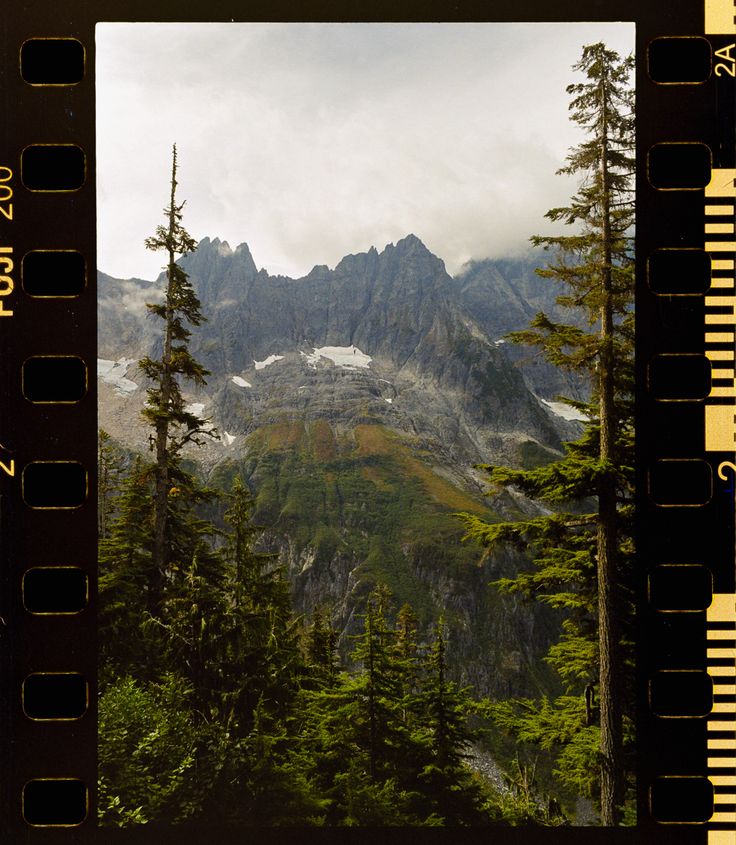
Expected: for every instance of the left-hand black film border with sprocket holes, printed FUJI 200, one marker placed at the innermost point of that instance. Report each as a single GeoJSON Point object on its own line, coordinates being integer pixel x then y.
{"type": "Point", "coordinates": [48, 430]}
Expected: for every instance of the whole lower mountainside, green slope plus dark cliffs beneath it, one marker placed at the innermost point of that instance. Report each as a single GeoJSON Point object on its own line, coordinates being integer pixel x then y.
{"type": "Point", "coordinates": [346, 509]}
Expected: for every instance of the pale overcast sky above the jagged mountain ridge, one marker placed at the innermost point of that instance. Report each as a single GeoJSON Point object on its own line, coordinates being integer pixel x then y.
{"type": "Point", "coordinates": [312, 141]}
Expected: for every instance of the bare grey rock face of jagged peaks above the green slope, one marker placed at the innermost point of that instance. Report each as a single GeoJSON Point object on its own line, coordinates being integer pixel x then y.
{"type": "Point", "coordinates": [433, 370]}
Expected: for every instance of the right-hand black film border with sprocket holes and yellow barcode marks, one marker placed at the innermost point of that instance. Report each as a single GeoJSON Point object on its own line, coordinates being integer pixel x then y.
{"type": "Point", "coordinates": [686, 422]}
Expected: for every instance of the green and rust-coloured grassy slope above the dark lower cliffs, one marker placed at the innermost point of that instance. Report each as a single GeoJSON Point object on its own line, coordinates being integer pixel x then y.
{"type": "Point", "coordinates": [369, 492]}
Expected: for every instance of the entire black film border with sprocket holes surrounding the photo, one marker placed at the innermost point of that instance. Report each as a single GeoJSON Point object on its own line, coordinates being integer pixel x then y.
{"type": "Point", "coordinates": [686, 423]}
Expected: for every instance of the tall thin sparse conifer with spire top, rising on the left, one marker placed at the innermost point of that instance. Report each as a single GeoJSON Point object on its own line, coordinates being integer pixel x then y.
{"type": "Point", "coordinates": [173, 426]}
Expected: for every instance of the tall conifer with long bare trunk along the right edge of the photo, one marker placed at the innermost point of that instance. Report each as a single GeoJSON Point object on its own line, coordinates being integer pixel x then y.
{"type": "Point", "coordinates": [582, 553]}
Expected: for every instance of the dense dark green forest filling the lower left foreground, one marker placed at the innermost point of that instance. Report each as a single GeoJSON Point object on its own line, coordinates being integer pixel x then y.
{"type": "Point", "coordinates": [217, 703]}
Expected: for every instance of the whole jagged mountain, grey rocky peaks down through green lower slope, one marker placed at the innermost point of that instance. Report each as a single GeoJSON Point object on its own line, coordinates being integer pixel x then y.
{"type": "Point", "coordinates": [356, 401]}
